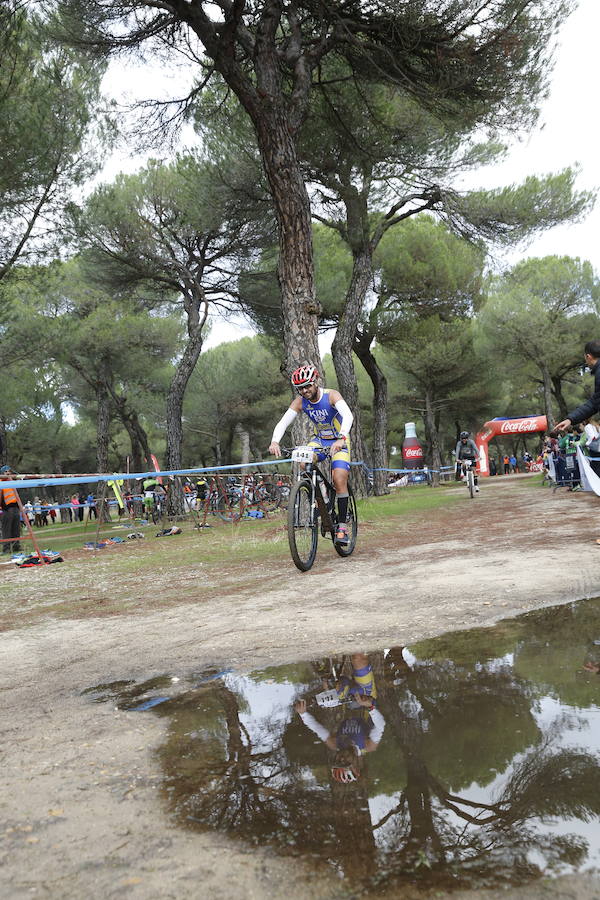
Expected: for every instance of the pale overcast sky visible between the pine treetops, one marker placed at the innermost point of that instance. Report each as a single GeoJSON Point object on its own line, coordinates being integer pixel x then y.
{"type": "Point", "coordinates": [568, 134]}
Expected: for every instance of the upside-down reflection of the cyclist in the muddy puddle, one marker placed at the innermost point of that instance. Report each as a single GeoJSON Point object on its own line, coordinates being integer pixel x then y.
{"type": "Point", "coordinates": [360, 730]}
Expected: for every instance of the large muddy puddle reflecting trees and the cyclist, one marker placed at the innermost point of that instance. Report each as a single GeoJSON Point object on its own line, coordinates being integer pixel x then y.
{"type": "Point", "coordinates": [468, 760]}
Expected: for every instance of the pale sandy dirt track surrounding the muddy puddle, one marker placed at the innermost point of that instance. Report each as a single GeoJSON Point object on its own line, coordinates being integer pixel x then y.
{"type": "Point", "coordinates": [80, 811]}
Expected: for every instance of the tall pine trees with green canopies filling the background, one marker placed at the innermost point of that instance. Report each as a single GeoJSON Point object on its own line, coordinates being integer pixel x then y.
{"type": "Point", "coordinates": [323, 193]}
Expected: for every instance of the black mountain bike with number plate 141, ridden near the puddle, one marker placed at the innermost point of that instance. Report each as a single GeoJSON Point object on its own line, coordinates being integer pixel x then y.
{"type": "Point", "coordinates": [312, 506]}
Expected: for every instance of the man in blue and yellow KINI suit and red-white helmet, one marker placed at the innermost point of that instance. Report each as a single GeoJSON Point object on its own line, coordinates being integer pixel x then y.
{"type": "Point", "coordinates": [331, 420]}
